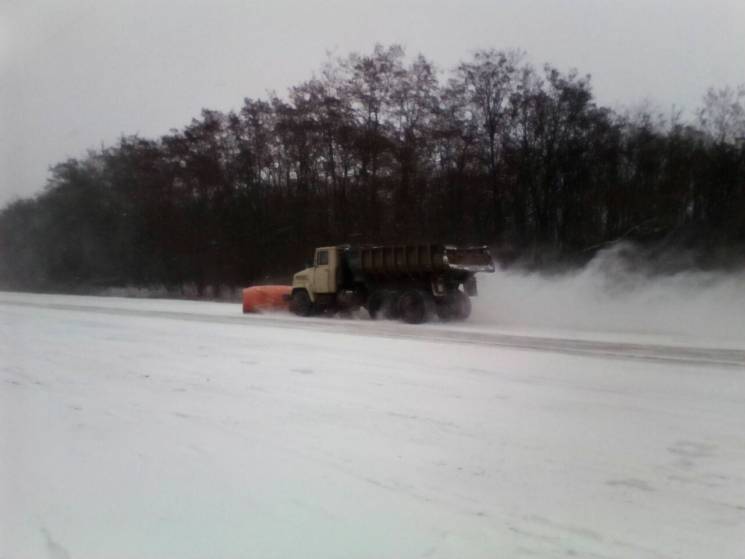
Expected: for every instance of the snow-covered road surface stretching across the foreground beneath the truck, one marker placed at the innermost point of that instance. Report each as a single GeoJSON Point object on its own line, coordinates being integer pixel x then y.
{"type": "Point", "coordinates": [137, 428]}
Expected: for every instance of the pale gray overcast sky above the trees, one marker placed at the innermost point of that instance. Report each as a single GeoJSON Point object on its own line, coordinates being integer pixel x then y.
{"type": "Point", "coordinates": [78, 73]}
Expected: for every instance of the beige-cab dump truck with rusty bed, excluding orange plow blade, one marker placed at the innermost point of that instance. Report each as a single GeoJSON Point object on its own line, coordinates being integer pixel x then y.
{"type": "Point", "coordinates": [408, 282]}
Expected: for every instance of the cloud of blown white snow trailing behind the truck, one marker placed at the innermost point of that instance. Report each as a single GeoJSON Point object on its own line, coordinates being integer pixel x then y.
{"type": "Point", "coordinates": [617, 292]}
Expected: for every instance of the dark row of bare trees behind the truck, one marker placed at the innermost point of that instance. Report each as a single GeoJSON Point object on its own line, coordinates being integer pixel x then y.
{"type": "Point", "coordinates": [383, 148]}
